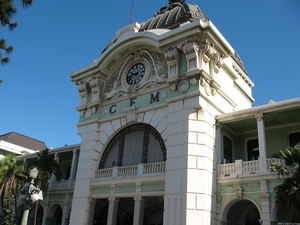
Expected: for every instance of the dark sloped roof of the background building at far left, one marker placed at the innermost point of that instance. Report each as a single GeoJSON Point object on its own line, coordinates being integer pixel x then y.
{"type": "Point", "coordinates": [24, 141]}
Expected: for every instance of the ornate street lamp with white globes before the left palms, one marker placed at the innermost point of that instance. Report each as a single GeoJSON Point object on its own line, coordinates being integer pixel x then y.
{"type": "Point", "coordinates": [32, 194]}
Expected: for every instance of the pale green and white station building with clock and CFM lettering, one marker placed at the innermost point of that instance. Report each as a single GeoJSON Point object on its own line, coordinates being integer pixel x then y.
{"type": "Point", "coordinates": [168, 134]}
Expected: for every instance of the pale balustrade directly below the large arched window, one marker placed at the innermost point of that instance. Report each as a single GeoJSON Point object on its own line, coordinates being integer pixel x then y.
{"type": "Point", "coordinates": [131, 171]}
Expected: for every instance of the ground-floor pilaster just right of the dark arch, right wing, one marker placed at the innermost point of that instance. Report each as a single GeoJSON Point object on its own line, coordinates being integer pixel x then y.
{"type": "Point", "coordinates": [265, 203]}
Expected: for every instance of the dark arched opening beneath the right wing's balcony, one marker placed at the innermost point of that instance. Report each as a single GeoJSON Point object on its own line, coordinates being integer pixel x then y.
{"type": "Point", "coordinates": [243, 212]}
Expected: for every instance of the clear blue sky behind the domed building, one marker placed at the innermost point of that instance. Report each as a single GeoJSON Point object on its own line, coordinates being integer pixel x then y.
{"type": "Point", "coordinates": [58, 37]}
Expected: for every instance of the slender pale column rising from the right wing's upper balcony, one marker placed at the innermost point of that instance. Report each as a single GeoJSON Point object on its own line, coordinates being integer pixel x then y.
{"type": "Point", "coordinates": [261, 142]}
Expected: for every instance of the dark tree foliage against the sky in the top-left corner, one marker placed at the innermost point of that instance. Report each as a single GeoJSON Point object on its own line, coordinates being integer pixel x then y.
{"type": "Point", "coordinates": [7, 12]}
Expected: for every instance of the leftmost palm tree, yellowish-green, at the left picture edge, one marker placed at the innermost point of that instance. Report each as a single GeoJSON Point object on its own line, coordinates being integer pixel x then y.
{"type": "Point", "coordinates": [12, 175]}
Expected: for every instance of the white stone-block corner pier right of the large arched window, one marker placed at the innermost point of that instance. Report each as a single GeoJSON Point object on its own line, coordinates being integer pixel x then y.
{"type": "Point", "coordinates": [190, 155]}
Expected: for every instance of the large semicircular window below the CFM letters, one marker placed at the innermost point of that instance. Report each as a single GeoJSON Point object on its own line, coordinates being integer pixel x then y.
{"type": "Point", "coordinates": [133, 145]}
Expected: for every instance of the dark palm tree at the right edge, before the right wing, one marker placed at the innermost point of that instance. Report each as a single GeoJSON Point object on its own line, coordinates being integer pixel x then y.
{"type": "Point", "coordinates": [287, 194]}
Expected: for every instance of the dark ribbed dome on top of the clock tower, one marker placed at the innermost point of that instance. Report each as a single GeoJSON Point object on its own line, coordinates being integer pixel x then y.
{"type": "Point", "coordinates": [170, 17]}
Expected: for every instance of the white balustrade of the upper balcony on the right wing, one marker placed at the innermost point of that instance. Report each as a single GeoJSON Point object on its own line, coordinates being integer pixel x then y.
{"type": "Point", "coordinates": [240, 168]}
